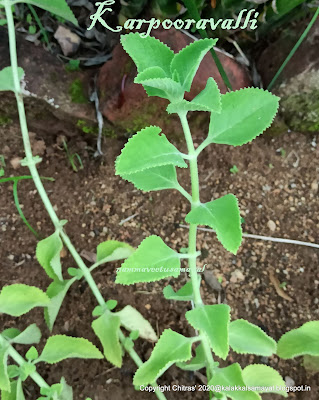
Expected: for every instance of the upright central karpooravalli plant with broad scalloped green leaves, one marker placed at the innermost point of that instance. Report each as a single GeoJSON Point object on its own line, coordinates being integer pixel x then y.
{"type": "Point", "coordinates": [149, 161]}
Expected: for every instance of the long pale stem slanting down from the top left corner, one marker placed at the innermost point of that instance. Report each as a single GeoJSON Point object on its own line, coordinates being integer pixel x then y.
{"type": "Point", "coordinates": [38, 183]}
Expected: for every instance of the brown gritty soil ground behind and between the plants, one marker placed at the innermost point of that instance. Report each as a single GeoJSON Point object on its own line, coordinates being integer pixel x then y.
{"type": "Point", "coordinates": [271, 185]}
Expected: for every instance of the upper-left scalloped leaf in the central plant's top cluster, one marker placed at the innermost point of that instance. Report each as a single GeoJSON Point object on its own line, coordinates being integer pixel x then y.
{"type": "Point", "coordinates": [147, 52]}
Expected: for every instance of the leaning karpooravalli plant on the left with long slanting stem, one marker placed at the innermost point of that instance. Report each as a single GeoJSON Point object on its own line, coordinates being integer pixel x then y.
{"type": "Point", "coordinates": [18, 299]}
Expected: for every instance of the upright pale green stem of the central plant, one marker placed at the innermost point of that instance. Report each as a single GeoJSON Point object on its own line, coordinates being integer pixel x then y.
{"type": "Point", "coordinates": [192, 237]}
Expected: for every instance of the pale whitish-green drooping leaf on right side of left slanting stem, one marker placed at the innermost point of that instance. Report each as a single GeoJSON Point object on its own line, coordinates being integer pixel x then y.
{"type": "Point", "coordinates": [132, 320]}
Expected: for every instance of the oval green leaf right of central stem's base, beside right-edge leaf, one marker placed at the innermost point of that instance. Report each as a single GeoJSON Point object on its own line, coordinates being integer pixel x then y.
{"type": "Point", "coordinates": [247, 338]}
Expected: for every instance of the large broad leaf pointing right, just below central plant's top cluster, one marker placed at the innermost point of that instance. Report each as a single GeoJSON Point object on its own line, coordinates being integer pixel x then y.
{"type": "Point", "coordinates": [245, 115]}
